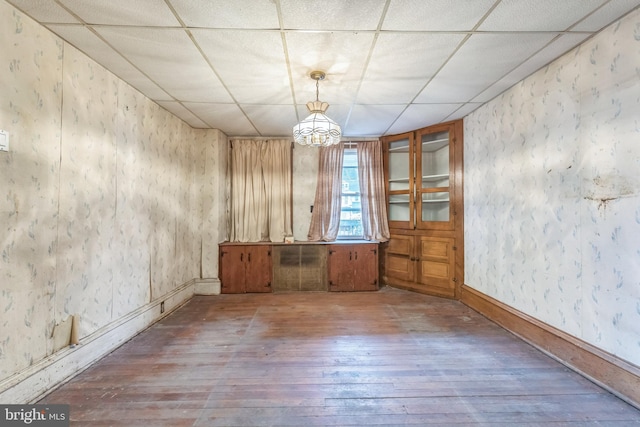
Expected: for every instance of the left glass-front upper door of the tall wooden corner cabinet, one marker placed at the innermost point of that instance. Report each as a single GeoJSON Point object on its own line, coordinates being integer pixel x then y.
{"type": "Point", "coordinates": [400, 181]}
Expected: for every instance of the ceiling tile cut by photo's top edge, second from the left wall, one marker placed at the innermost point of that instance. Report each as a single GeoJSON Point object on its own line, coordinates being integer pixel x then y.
{"type": "Point", "coordinates": [123, 12]}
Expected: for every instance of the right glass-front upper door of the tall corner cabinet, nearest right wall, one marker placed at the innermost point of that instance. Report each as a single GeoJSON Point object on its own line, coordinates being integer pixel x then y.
{"type": "Point", "coordinates": [434, 161]}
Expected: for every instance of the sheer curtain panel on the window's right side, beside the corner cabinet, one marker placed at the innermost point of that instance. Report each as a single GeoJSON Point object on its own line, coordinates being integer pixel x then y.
{"type": "Point", "coordinates": [372, 191]}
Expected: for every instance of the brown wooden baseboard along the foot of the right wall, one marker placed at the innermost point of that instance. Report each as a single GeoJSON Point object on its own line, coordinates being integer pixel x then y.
{"type": "Point", "coordinates": [610, 372]}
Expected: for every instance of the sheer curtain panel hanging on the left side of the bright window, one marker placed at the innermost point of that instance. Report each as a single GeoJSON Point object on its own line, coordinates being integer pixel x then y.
{"type": "Point", "coordinates": [325, 219]}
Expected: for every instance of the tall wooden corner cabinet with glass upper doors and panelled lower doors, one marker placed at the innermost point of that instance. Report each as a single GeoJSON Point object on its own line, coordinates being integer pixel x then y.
{"type": "Point", "coordinates": [424, 200]}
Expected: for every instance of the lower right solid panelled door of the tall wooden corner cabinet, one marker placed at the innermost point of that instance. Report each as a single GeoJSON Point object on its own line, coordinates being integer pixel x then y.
{"type": "Point", "coordinates": [437, 264]}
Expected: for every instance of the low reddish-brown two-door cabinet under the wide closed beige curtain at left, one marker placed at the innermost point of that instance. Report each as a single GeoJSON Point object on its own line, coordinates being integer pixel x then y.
{"type": "Point", "coordinates": [245, 268]}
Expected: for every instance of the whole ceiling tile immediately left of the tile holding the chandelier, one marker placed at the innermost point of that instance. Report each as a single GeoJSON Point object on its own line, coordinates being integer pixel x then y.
{"type": "Point", "coordinates": [258, 73]}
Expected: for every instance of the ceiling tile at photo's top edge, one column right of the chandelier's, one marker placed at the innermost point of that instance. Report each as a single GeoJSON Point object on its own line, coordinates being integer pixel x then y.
{"type": "Point", "coordinates": [435, 15]}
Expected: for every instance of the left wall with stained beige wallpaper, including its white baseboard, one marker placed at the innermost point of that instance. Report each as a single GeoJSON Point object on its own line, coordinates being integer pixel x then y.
{"type": "Point", "coordinates": [101, 213]}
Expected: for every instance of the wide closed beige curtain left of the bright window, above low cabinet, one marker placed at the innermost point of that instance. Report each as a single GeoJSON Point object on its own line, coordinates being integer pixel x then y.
{"type": "Point", "coordinates": [260, 190]}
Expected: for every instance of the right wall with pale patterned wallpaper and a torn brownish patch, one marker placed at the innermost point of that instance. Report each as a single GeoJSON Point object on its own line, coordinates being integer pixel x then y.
{"type": "Point", "coordinates": [552, 184]}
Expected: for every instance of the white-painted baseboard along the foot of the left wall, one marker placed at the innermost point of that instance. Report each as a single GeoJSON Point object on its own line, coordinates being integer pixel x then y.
{"type": "Point", "coordinates": [31, 384]}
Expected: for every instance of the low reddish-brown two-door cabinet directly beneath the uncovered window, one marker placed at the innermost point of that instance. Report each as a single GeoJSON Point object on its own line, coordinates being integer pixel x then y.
{"type": "Point", "coordinates": [353, 267]}
